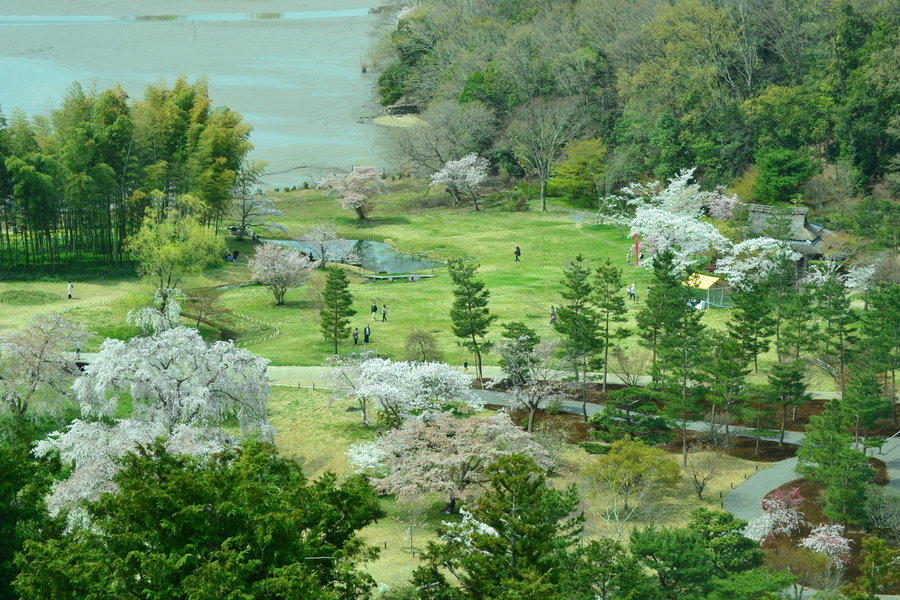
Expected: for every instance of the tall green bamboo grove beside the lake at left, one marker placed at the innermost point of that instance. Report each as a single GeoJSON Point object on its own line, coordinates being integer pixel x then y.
{"type": "Point", "coordinates": [75, 184]}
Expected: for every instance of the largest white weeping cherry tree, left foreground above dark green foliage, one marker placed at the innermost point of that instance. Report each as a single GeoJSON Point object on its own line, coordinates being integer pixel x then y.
{"type": "Point", "coordinates": [179, 388]}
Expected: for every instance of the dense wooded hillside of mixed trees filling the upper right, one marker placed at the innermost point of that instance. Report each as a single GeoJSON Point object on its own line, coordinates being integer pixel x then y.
{"type": "Point", "coordinates": [784, 91]}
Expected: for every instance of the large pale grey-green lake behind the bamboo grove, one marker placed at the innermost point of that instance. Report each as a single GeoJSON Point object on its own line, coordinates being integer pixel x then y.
{"type": "Point", "coordinates": [292, 68]}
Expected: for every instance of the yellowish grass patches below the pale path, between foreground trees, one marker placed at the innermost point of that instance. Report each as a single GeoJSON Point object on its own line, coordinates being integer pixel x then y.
{"type": "Point", "coordinates": [316, 431]}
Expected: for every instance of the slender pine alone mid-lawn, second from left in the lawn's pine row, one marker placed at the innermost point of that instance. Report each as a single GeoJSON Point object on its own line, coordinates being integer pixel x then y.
{"type": "Point", "coordinates": [470, 314]}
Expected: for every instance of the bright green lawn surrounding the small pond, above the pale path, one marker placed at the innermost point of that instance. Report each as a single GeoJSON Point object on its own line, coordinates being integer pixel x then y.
{"type": "Point", "coordinates": [412, 219]}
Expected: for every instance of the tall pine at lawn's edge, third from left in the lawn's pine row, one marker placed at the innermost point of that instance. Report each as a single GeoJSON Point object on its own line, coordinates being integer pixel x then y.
{"type": "Point", "coordinates": [576, 323]}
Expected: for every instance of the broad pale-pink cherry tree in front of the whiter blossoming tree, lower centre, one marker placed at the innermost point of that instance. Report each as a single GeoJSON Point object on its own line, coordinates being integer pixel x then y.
{"type": "Point", "coordinates": [443, 455]}
